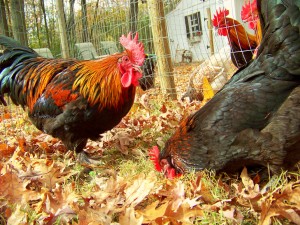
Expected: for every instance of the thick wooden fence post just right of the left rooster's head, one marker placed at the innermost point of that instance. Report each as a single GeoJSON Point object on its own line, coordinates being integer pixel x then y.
{"type": "Point", "coordinates": [162, 48]}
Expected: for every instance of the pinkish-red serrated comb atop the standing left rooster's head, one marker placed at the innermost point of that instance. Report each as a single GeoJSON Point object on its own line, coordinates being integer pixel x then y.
{"type": "Point", "coordinates": [134, 48]}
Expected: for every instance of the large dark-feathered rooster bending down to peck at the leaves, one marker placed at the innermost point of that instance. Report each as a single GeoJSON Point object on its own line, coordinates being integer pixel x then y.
{"type": "Point", "coordinates": [255, 118]}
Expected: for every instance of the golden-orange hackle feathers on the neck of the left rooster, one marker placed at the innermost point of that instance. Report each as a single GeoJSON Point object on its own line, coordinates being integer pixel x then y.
{"type": "Point", "coordinates": [99, 81]}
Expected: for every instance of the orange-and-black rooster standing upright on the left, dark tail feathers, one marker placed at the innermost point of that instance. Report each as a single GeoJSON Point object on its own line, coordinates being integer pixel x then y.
{"type": "Point", "coordinates": [73, 100]}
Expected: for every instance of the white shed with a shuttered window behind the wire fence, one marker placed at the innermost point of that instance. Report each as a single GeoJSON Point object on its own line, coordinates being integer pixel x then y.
{"type": "Point", "coordinates": [188, 29]}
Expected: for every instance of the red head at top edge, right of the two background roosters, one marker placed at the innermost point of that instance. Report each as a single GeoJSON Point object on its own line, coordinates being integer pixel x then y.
{"type": "Point", "coordinates": [249, 14]}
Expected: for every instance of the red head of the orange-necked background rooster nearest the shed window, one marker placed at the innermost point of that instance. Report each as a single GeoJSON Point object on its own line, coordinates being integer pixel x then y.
{"type": "Point", "coordinates": [220, 21]}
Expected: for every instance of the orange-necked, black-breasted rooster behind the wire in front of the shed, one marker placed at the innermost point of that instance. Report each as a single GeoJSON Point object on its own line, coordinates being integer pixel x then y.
{"type": "Point", "coordinates": [242, 44]}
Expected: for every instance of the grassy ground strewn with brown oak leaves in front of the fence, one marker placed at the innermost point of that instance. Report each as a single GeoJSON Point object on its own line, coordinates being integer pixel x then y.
{"type": "Point", "coordinates": [42, 183]}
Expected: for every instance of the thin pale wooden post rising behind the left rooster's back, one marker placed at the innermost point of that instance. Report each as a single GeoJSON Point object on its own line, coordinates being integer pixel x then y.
{"type": "Point", "coordinates": [65, 52]}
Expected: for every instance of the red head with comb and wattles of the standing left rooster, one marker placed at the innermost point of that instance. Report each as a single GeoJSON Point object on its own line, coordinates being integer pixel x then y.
{"type": "Point", "coordinates": [130, 63]}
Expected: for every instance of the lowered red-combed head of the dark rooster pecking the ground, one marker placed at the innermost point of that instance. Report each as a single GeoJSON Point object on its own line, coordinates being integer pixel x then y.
{"type": "Point", "coordinates": [165, 164]}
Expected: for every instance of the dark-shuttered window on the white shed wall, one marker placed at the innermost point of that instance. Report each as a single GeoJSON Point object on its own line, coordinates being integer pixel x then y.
{"type": "Point", "coordinates": [193, 26]}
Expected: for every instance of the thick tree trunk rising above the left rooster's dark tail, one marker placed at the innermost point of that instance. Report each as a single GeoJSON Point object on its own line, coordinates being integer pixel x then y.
{"type": "Point", "coordinates": [18, 21]}
